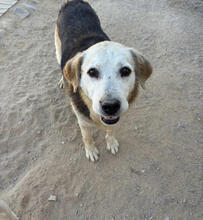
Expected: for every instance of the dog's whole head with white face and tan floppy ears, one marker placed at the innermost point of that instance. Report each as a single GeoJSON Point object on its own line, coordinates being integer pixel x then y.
{"type": "Point", "coordinates": [108, 73]}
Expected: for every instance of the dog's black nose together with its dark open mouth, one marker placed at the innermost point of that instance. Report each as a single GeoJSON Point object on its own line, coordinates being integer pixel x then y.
{"type": "Point", "coordinates": [110, 109]}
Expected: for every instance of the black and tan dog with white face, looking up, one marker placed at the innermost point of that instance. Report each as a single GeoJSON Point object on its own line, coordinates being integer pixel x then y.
{"type": "Point", "coordinates": [101, 77]}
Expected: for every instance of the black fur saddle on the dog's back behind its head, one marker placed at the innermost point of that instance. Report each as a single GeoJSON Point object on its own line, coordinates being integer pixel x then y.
{"type": "Point", "coordinates": [78, 28]}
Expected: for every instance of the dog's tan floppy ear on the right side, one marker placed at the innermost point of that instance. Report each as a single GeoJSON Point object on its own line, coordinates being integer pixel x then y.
{"type": "Point", "coordinates": [143, 68]}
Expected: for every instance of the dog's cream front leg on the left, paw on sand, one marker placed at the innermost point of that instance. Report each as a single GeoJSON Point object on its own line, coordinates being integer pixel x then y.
{"type": "Point", "coordinates": [92, 152]}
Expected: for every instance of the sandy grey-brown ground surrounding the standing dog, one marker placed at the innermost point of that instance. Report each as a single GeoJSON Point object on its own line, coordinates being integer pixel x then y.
{"type": "Point", "coordinates": [158, 171]}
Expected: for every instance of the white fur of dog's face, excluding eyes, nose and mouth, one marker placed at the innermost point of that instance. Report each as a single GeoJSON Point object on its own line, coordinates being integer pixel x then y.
{"type": "Point", "coordinates": [107, 57]}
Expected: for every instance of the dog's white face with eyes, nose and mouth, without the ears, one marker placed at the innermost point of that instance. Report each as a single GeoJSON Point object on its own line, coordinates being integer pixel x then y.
{"type": "Point", "coordinates": [107, 79]}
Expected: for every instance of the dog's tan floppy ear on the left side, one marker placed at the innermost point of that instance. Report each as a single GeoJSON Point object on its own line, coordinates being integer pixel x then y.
{"type": "Point", "coordinates": [72, 70]}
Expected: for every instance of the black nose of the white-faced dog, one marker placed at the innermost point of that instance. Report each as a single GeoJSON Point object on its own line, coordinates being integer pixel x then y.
{"type": "Point", "coordinates": [110, 107]}
